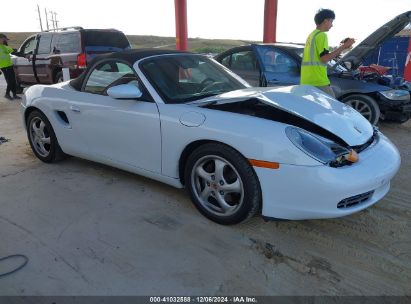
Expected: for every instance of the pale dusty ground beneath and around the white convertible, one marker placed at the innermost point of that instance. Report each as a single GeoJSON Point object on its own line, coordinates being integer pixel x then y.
{"type": "Point", "coordinates": [88, 229]}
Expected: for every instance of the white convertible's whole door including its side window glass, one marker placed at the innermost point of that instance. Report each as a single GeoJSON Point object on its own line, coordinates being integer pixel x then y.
{"type": "Point", "coordinates": [125, 131]}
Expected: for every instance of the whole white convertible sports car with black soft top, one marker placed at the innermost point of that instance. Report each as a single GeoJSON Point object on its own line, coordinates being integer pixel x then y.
{"type": "Point", "coordinates": [185, 120]}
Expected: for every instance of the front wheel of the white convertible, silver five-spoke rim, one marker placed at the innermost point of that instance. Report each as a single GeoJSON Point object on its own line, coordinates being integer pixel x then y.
{"type": "Point", "coordinates": [222, 184]}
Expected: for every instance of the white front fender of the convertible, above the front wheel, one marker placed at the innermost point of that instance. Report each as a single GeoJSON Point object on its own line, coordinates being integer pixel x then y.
{"type": "Point", "coordinates": [254, 138]}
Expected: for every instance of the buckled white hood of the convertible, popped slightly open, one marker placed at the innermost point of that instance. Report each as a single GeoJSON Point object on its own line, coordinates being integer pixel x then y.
{"type": "Point", "coordinates": [307, 103]}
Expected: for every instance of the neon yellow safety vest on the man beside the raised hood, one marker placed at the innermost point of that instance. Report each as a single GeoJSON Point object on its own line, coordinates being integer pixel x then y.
{"type": "Point", "coordinates": [313, 70]}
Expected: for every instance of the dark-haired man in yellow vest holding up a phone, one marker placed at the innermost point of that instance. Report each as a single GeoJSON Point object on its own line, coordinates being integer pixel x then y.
{"type": "Point", "coordinates": [317, 54]}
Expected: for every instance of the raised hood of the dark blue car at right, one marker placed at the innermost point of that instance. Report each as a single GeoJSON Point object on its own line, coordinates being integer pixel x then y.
{"type": "Point", "coordinates": [366, 47]}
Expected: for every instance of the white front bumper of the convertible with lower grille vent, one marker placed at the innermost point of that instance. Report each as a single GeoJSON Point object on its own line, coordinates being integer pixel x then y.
{"type": "Point", "coordinates": [318, 198]}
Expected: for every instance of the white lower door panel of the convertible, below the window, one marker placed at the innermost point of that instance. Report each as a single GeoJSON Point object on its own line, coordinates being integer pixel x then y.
{"type": "Point", "coordinates": [124, 131]}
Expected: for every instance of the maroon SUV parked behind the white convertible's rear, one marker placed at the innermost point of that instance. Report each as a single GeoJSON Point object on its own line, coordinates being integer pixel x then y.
{"type": "Point", "coordinates": [41, 57]}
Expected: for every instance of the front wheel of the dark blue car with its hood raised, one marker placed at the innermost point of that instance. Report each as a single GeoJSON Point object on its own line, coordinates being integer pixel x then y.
{"type": "Point", "coordinates": [365, 105]}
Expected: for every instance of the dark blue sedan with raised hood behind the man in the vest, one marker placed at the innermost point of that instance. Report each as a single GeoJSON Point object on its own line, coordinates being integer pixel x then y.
{"type": "Point", "coordinates": [279, 64]}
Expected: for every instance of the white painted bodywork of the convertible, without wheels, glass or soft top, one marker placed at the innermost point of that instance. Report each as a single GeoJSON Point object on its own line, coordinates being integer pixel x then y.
{"type": "Point", "coordinates": [148, 138]}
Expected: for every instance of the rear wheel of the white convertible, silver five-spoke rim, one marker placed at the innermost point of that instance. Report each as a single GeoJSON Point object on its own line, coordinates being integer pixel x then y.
{"type": "Point", "coordinates": [42, 138]}
